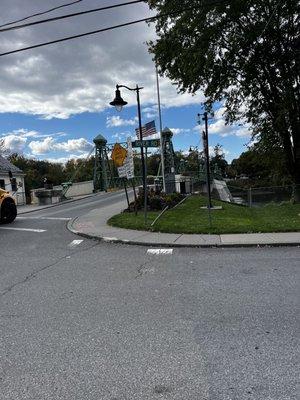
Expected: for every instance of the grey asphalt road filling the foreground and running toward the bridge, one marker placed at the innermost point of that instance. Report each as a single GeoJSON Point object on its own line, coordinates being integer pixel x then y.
{"type": "Point", "coordinates": [96, 321]}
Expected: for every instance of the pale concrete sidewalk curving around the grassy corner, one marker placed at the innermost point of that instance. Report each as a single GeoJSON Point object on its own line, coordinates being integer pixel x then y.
{"type": "Point", "coordinates": [93, 225]}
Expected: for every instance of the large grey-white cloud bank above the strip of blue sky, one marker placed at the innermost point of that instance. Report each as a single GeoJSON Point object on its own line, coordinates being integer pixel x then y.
{"type": "Point", "coordinates": [80, 75]}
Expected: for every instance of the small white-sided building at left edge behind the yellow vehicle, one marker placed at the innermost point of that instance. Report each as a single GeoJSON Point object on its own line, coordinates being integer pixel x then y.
{"type": "Point", "coordinates": [12, 180]}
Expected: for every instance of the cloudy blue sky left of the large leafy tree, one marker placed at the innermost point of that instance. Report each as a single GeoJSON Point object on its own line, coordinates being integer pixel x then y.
{"type": "Point", "coordinates": [54, 100]}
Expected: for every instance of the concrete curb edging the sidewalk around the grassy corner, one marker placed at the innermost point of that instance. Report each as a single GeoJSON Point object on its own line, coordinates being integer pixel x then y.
{"type": "Point", "coordinates": [151, 244]}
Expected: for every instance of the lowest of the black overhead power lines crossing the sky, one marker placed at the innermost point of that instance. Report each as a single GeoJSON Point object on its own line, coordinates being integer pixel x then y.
{"type": "Point", "coordinates": [149, 19]}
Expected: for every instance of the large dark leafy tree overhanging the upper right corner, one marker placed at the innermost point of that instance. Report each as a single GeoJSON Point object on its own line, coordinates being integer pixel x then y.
{"type": "Point", "coordinates": [242, 53]}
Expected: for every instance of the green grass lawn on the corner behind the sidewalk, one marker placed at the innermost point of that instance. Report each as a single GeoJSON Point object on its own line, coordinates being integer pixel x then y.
{"type": "Point", "coordinates": [190, 218]}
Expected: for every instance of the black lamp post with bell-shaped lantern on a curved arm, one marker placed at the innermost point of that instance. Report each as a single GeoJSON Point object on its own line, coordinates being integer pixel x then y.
{"type": "Point", "coordinates": [119, 103]}
